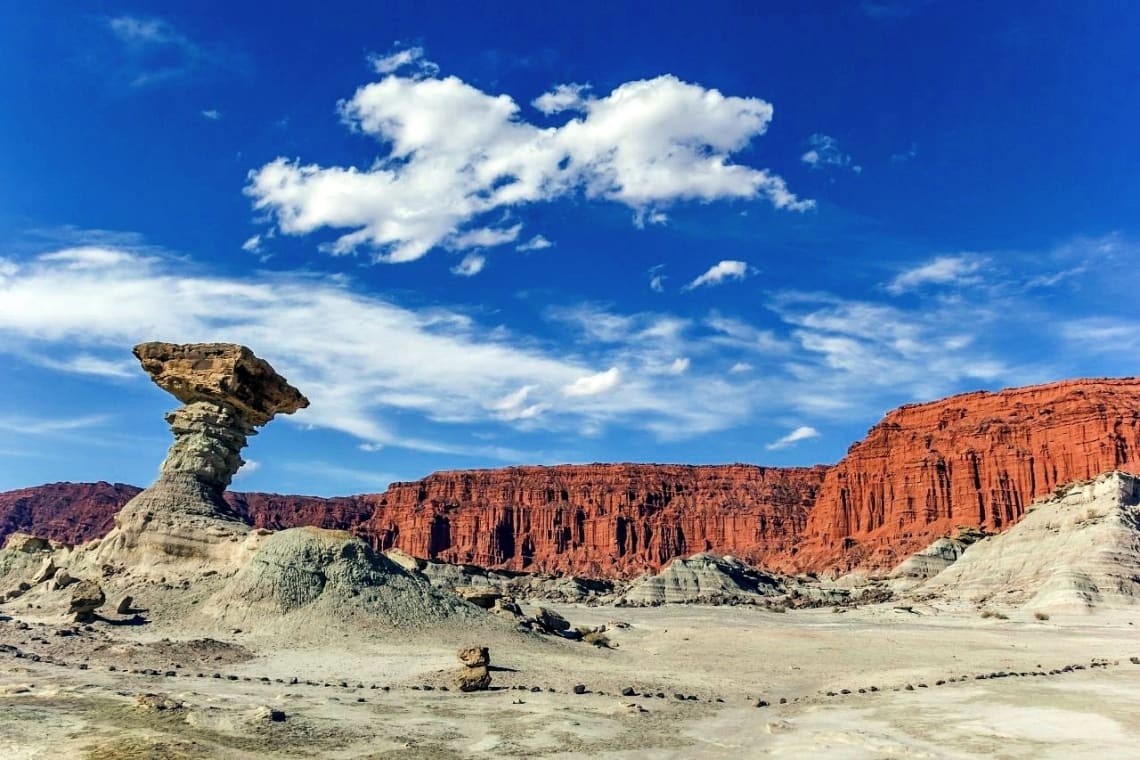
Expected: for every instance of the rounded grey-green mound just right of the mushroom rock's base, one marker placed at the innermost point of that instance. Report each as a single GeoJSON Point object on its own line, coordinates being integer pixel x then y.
{"type": "Point", "coordinates": [313, 577]}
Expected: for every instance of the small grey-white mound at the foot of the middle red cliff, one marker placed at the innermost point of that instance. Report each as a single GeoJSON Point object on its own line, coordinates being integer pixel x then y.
{"type": "Point", "coordinates": [703, 578]}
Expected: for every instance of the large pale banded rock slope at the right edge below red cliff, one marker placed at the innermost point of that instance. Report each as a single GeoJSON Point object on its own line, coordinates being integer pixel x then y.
{"type": "Point", "coordinates": [1076, 552]}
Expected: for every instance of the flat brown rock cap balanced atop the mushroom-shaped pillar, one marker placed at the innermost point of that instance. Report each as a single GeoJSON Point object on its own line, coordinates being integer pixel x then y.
{"type": "Point", "coordinates": [221, 373]}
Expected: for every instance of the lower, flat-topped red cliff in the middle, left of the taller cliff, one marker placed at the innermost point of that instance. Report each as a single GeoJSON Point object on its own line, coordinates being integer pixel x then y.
{"type": "Point", "coordinates": [596, 520]}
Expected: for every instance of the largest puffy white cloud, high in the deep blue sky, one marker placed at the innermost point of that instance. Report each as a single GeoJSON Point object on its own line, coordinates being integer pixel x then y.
{"type": "Point", "coordinates": [457, 156]}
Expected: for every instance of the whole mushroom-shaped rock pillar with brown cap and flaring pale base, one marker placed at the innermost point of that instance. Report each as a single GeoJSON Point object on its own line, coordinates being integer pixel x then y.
{"type": "Point", "coordinates": [227, 393]}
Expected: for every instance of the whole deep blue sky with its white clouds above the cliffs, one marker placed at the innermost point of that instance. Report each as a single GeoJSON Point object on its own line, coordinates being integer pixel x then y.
{"type": "Point", "coordinates": [483, 235]}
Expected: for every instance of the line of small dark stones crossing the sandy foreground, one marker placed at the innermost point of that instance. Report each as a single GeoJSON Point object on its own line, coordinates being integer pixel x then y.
{"type": "Point", "coordinates": [581, 689]}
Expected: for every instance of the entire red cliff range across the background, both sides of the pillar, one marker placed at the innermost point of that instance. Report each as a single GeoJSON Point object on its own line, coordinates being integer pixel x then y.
{"type": "Point", "coordinates": [976, 461]}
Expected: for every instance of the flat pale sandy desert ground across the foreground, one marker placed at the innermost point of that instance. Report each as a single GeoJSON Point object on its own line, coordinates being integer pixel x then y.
{"type": "Point", "coordinates": [870, 683]}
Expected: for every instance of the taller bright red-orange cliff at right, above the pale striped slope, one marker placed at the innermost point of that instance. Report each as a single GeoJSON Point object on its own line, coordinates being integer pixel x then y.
{"type": "Point", "coordinates": [974, 460]}
